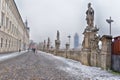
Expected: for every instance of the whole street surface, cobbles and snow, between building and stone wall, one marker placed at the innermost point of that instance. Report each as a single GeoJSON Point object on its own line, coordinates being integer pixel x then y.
{"type": "Point", "coordinates": [45, 66]}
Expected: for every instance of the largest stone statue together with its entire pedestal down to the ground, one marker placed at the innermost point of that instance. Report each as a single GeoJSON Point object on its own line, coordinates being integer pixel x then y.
{"type": "Point", "coordinates": [90, 42]}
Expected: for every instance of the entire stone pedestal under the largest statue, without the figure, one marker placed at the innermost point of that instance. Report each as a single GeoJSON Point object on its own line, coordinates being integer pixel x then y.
{"type": "Point", "coordinates": [90, 46]}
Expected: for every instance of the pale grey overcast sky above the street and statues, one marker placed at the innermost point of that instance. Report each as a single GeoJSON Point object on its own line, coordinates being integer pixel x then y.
{"type": "Point", "coordinates": [45, 17]}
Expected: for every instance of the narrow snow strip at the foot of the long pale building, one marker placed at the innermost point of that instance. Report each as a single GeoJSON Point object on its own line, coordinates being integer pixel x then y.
{"type": "Point", "coordinates": [10, 55]}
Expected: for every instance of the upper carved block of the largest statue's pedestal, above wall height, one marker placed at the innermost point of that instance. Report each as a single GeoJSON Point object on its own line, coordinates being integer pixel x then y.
{"type": "Point", "coordinates": [90, 36]}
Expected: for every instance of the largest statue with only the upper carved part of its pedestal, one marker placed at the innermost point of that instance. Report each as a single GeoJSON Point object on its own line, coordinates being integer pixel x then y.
{"type": "Point", "coordinates": [91, 39]}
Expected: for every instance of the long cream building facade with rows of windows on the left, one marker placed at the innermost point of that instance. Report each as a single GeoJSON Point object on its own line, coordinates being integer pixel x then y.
{"type": "Point", "coordinates": [14, 35]}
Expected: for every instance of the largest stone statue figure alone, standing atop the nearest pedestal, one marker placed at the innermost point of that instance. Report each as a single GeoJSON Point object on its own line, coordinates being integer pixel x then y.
{"type": "Point", "coordinates": [90, 15]}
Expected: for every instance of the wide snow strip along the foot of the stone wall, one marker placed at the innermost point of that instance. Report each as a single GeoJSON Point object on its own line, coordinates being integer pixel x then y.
{"type": "Point", "coordinates": [84, 72]}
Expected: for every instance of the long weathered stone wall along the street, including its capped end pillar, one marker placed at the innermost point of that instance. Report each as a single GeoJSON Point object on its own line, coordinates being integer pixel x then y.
{"type": "Point", "coordinates": [90, 57]}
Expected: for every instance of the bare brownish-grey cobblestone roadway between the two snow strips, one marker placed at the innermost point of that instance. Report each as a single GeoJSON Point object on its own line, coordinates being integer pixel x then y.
{"type": "Point", "coordinates": [33, 66]}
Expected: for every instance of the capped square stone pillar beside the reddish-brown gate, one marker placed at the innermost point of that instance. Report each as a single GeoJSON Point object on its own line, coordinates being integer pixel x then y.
{"type": "Point", "coordinates": [106, 51]}
